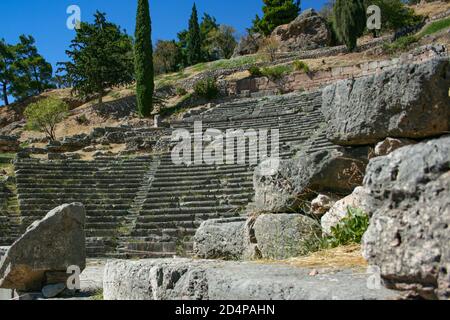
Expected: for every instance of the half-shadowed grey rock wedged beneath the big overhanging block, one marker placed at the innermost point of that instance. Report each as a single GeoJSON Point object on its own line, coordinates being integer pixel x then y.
{"type": "Point", "coordinates": [337, 171]}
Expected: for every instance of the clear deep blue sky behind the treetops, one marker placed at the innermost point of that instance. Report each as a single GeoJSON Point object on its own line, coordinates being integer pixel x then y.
{"type": "Point", "coordinates": [45, 20]}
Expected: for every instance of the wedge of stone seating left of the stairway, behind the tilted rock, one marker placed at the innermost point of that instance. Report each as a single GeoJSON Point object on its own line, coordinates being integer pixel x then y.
{"type": "Point", "coordinates": [106, 186]}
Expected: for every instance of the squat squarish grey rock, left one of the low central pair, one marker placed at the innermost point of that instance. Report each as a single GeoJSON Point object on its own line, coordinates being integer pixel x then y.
{"type": "Point", "coordinates": [220, 239]}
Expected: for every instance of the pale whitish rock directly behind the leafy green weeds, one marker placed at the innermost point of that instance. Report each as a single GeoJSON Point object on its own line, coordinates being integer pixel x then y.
{"type": "Point", "coordinates": [358, 199]}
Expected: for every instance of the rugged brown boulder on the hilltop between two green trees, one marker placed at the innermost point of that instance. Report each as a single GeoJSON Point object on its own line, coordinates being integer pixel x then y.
{"type": "Point", "coordinates": [307, 32]}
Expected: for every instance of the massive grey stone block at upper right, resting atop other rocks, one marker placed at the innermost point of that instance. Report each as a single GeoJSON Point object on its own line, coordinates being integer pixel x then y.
{"type": "Point", "coordinates": [410, 101]}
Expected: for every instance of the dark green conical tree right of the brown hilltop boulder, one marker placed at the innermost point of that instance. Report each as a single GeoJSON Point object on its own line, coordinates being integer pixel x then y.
{"type": "Point", "coordinates": [349, 21]}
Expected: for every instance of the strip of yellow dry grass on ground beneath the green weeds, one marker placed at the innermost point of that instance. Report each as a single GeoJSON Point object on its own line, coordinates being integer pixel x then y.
{"type": "Point", "coordinates": [341, 257]}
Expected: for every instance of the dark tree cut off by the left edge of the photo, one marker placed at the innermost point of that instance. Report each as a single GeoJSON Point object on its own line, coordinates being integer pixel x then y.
{"type": "Point", "coordinates": [7, 58]}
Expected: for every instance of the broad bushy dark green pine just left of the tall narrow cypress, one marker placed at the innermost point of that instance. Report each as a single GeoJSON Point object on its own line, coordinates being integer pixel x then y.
{"type": "Point", "coordinates": [101, 57]}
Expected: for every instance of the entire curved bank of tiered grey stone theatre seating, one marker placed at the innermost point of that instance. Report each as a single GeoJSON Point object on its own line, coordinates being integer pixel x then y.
{"type": "Point", "coordinates": [150, 207]}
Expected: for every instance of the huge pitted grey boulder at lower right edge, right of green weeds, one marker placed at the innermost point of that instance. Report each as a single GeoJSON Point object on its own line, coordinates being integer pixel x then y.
{"type": "Point", "coordinates": [408, 236]}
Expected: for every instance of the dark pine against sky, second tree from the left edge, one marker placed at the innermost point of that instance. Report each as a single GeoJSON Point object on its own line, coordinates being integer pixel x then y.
{"type": "Point", "coordinates": [32, 73]}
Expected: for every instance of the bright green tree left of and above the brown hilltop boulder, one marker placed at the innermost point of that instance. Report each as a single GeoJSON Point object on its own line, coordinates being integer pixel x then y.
{"type": "Point", "coordinates": [276, 13]}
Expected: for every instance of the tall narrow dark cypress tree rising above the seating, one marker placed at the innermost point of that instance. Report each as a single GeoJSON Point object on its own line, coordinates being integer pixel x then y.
{"type": "Point", "coordinates": [143, 56]}
